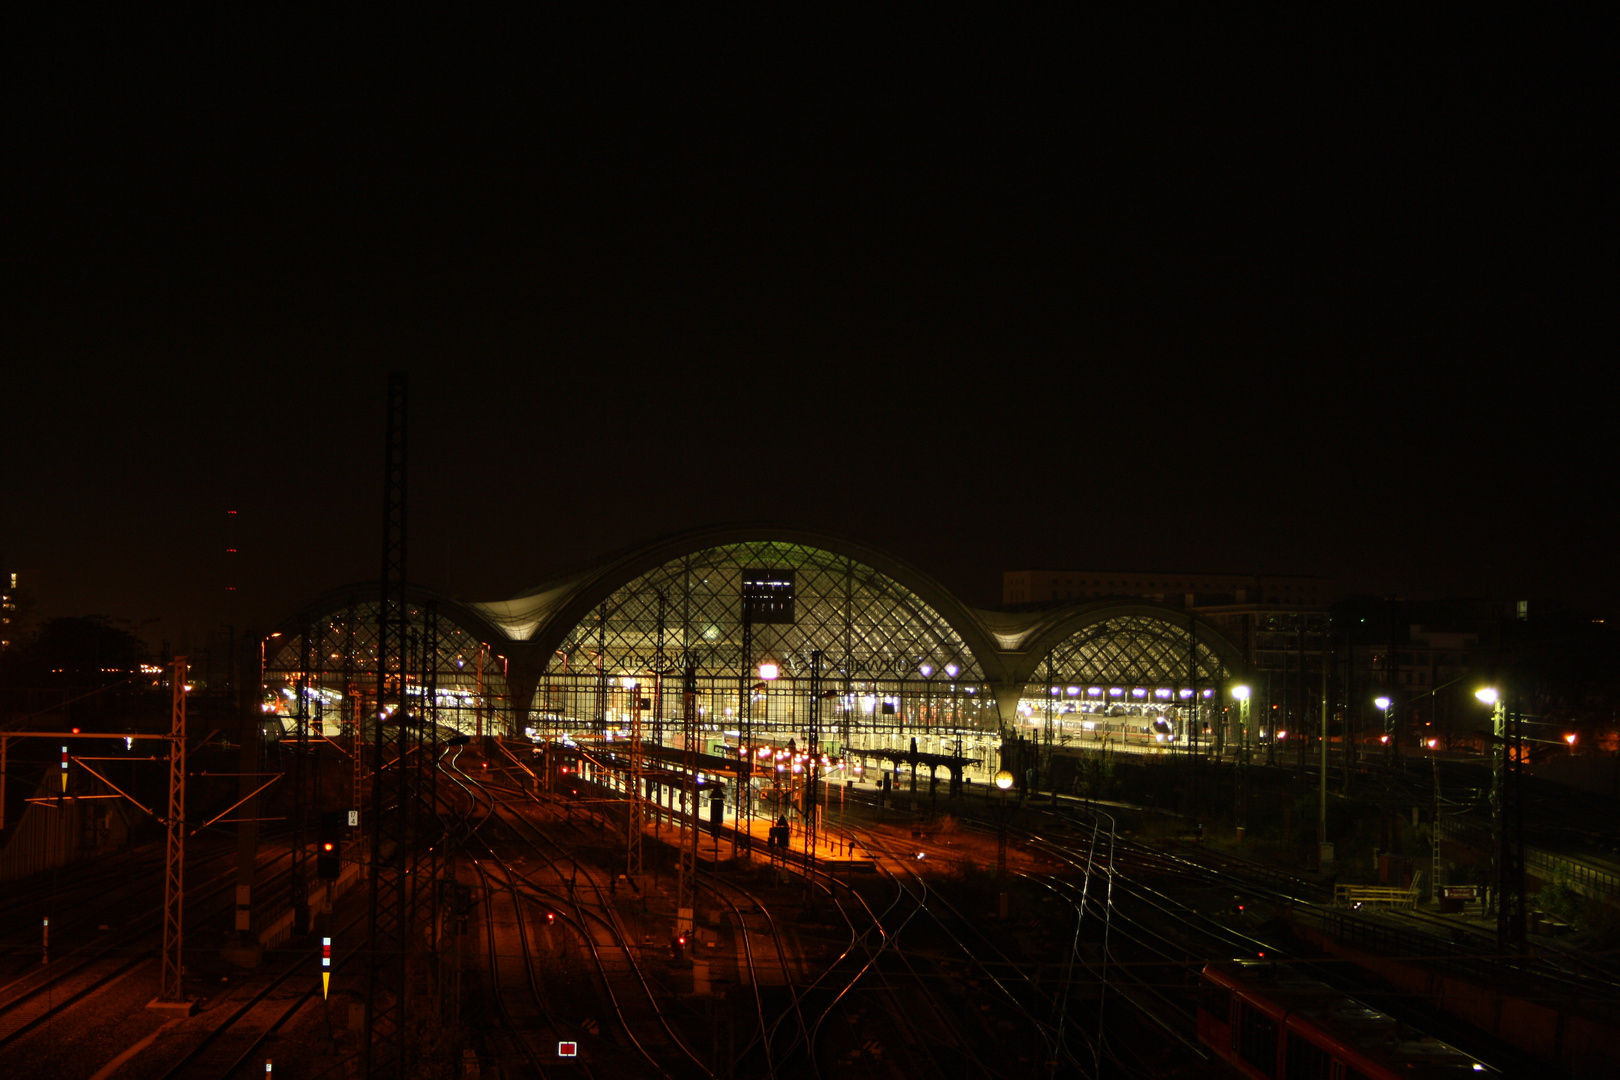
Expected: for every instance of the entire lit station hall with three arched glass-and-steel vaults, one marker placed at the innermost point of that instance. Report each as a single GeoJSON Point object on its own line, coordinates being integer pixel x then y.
{"type": "Point", "coordinates": [782, 634]}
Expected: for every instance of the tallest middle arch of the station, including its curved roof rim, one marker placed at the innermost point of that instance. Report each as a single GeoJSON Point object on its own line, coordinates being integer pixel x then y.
{"type": "Point", "coordinates": [897, 655]}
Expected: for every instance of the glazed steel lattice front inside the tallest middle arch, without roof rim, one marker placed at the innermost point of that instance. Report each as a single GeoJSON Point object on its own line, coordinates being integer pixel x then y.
{"type": "Point", "coordinates": [887, 653]}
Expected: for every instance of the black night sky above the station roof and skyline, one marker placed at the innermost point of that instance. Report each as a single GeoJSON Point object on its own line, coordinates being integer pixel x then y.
{"type": "Point", "coordinates": [1219, 294]}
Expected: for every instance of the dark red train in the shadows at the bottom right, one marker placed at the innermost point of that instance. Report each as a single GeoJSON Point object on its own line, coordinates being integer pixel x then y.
{"type": "Point", "coordinates": [1271, 1023]}
